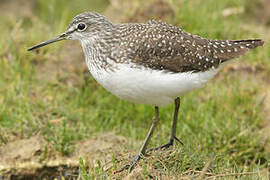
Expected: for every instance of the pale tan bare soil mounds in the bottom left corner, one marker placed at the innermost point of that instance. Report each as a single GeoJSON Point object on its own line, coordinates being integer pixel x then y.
{"type": "Point", "coordinates": [35, 158]}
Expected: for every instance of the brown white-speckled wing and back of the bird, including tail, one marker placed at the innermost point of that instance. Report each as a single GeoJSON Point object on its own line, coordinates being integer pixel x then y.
{"type": "Point", "coordinates": [166, 47]}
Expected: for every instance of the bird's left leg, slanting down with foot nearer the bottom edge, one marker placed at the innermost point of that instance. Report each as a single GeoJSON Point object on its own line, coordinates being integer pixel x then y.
{"type": "Point", "coordinates": [142, 151]}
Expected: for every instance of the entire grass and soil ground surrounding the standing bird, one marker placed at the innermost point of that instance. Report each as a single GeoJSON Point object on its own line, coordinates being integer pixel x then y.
{"type": "Point", "coordinates": [56, 121]}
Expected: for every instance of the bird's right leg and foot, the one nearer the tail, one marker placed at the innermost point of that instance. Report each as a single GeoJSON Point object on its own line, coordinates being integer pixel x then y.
{"type": "Point", "coordinates": [174, 123]}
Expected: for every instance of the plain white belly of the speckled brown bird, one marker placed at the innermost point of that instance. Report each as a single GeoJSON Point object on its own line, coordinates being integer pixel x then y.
{"type": "Point", "coordinates": [147, 86]}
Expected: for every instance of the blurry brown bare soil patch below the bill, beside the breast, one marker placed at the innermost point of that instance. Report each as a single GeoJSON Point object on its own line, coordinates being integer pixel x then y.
{"type": "Point", "coordinates": [65, 67]}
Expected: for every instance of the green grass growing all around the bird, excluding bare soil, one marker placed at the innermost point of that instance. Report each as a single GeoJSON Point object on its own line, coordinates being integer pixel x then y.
{"type": "Point", "coordinates": [220, 123]}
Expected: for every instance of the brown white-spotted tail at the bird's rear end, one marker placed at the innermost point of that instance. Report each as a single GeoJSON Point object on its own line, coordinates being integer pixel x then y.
{"type": "Point", "coordinates": [230, 49]}
